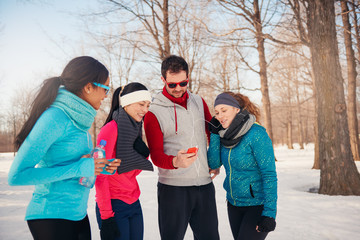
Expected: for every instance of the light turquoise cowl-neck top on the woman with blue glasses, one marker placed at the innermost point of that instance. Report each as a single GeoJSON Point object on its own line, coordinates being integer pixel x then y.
{"type": "Point", "coordinates": [50, 159]}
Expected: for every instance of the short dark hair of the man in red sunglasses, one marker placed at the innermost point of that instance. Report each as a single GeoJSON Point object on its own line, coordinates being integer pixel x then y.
{"type": "Point", "coordinates": [174, 64]}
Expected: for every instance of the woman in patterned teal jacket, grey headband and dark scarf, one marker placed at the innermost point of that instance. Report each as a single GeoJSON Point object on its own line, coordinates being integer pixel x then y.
{"type": "Point", "coordinates": [245, 150]}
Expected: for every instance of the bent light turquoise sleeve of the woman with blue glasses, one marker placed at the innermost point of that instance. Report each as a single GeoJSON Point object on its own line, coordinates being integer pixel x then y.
{"type": "Point", "coordinates": [46, 131]}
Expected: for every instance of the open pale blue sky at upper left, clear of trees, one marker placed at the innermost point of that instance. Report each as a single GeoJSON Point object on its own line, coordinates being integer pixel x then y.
{"type": "Point", "coordinates": [30, 40]}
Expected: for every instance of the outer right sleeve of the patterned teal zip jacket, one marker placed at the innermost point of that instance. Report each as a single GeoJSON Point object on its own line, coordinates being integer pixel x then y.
{"type": "Point", "coordinates": [265, 159]}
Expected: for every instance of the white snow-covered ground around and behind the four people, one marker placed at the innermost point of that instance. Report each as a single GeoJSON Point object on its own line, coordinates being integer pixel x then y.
{"type": "Point", "coordinates": [301, 215]}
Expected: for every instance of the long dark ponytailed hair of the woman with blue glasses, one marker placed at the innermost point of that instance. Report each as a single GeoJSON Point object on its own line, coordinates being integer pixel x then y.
{"type": "Point", "coordinates": [77, 73]}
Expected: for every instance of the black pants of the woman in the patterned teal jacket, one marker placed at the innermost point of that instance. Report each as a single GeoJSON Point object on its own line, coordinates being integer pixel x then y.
{"type": "Point", "coordinates": [243, 221]}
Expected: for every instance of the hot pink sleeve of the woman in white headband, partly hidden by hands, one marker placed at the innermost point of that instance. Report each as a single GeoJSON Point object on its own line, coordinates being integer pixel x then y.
{"type": "Point", "coordinates": [103, 197]}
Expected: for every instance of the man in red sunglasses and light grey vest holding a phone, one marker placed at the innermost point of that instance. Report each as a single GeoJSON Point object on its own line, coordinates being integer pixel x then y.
{"type": "Point", "coordinates": [176, 122]}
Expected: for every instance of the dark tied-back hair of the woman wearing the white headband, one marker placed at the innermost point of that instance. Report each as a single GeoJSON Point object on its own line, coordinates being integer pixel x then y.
{"type": "Point", "coordinates": [115, 102]}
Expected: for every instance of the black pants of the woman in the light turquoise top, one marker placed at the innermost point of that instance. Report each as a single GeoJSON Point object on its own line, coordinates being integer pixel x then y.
{"type": "Point", "coordinates": [60, 229]}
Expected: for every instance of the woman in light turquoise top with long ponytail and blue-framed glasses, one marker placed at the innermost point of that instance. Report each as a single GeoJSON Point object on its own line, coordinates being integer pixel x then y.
{"type": "Point", "coordinates": [53, 150]}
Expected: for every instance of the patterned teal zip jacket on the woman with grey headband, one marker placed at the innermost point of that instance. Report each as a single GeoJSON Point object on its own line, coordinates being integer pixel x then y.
{"type": "Point", "coordinates": [250, 169]}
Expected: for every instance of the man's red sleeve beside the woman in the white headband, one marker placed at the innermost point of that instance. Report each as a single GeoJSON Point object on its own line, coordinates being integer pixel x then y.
{"type": "Point", "coordinates": [155, 139]}
